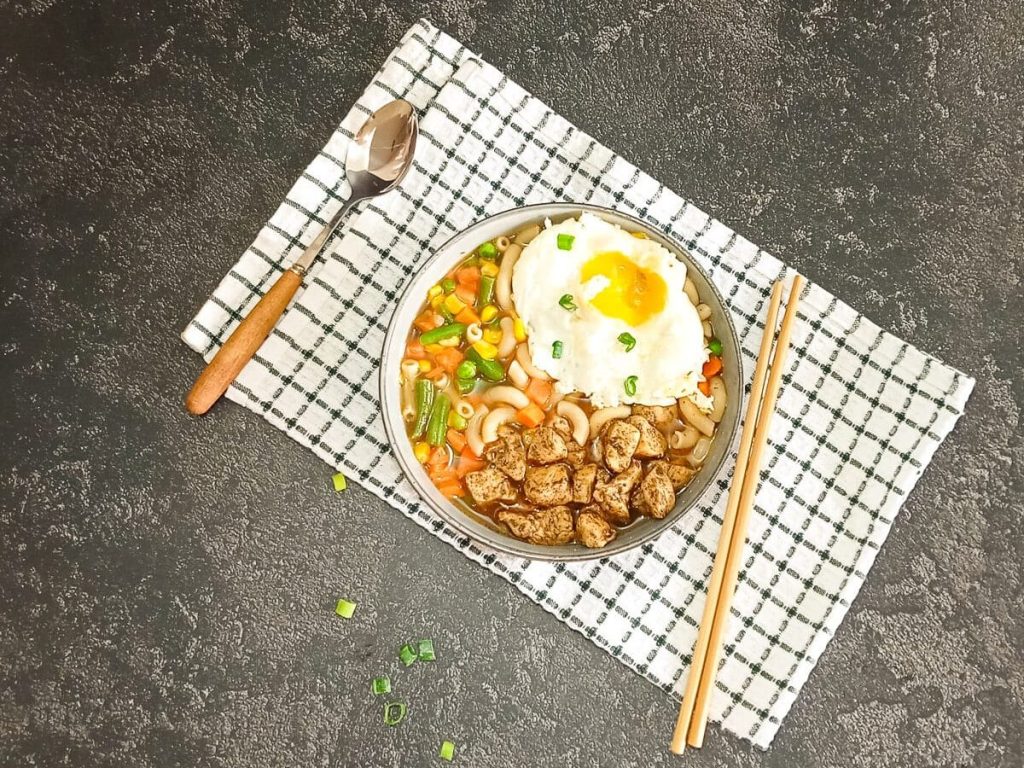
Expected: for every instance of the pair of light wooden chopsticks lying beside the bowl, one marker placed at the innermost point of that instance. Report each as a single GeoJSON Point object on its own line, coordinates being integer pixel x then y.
{"type": "Point", "coordinates": [764, 392]}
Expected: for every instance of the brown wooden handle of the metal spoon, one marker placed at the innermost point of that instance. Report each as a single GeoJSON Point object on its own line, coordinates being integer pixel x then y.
{"type": "Point", "coordinates": [242, 345]}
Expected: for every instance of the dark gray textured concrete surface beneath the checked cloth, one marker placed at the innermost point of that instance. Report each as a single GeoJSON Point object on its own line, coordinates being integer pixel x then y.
{"type": "Point", "coordinates": [166, 584]}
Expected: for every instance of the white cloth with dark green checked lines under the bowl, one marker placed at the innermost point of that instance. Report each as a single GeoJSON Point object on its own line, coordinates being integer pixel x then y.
{"type": "Point", "coordinates": [859, 420]}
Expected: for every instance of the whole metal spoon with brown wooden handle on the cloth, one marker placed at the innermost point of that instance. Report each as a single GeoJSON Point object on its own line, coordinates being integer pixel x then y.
{"type": "Point", "coordinates": [378, 159]}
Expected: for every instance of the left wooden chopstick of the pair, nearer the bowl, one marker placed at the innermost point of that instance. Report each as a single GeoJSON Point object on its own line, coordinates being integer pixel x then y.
{"type": "Point", "coordinates": [729, 524]}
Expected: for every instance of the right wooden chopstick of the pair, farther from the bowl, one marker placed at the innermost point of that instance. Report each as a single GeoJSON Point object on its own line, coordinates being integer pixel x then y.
{"type": "Point", "coordinates": [699, 720]}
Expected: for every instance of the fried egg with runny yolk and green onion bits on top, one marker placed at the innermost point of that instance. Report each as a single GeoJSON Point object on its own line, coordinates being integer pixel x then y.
{"type": "Point", "coordinates": [607, 315]}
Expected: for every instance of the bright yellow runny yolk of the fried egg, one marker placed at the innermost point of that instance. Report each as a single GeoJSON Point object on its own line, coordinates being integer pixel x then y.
{"type": "Point", "coordinates": [634, 294]}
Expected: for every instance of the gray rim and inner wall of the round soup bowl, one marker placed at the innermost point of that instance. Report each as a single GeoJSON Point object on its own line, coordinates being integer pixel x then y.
{"type": "Point", "coordinates": [489, 538]}
